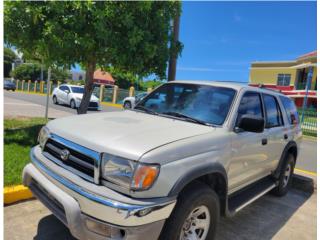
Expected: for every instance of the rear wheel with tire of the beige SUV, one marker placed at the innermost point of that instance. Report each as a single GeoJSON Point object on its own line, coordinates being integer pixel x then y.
{"type": "Point", "coordinates": [285, 178]}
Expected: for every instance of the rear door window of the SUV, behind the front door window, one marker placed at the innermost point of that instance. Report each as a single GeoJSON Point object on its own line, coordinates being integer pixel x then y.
{"type": "Point", "coordinates": [273, 113]}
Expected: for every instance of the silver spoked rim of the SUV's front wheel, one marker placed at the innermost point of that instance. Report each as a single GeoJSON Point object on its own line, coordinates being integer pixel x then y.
{"type": "Point", "coordinates": [197, 224]}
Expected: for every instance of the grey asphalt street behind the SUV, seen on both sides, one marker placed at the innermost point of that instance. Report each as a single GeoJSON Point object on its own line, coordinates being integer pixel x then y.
{"type": "Point", "coordinates": [19, 102]}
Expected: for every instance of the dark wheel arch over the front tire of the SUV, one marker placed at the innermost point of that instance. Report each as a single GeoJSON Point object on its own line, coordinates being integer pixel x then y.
{"type": "Point", "coordinates": [213, 175]}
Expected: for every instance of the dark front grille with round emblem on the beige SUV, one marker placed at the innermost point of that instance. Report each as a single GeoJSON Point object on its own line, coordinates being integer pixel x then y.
{"type": "Point", "coordinates": [77, 161]}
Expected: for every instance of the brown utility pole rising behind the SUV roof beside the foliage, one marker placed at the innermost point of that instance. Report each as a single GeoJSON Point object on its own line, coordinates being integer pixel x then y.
{"type": "Point", "coordinates": [173, 57]}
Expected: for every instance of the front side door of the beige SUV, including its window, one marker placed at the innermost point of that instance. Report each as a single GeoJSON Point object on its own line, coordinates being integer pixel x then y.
{"type": "Point", "coordinates": [248, 149]}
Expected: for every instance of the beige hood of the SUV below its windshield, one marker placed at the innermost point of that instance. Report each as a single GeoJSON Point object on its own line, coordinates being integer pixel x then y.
{"type": "Point", "coordinates": [127, 134]}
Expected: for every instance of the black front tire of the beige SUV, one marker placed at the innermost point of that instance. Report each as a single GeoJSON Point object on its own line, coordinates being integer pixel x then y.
{"type": "Point", "coordinates": [196, 196]}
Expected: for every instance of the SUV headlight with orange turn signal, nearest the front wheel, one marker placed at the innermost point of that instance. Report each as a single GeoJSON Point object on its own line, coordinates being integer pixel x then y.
{"type": "Point", "coordinates": [129, 174]}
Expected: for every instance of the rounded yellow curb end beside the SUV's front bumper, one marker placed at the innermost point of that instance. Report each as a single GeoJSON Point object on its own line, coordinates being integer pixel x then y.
{"type": "Point", "coordinates": [15, 194]}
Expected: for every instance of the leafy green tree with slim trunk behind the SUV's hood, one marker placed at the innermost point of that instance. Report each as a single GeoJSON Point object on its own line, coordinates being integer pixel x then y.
{"type": "Point", "coordinates": [132, 36]}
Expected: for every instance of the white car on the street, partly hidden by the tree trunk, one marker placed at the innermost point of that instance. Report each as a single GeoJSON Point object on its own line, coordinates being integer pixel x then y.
{"type": "Point", "coordinates": [72, 95]}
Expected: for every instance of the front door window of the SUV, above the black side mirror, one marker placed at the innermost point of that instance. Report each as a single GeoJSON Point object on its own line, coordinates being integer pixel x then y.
{"type": "Point", "coordinates": [250, 104]}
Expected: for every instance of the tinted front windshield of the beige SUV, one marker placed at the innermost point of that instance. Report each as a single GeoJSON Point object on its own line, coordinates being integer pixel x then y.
{"type": "Point", "coordinates": [205, 103]}
